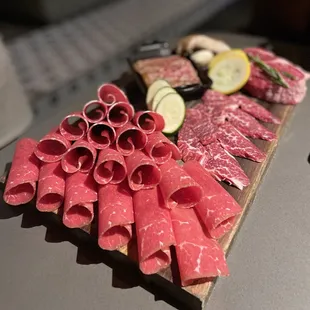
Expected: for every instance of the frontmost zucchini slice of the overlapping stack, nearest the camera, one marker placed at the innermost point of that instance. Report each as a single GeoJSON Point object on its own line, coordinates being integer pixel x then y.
{"type": "Point", "coordinates": [172, 108]}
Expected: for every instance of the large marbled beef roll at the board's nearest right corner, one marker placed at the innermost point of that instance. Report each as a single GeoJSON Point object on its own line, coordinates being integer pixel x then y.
{"type": "Point", "coordinates": [198, 255]}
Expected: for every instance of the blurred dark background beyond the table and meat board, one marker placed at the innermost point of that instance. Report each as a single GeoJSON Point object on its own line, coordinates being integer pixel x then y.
{"type": "Point", "coordinates": [55, 53]}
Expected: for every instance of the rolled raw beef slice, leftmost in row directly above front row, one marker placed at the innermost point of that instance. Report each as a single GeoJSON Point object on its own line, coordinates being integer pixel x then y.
{"type": "Point", "coordinates": [52, 147]}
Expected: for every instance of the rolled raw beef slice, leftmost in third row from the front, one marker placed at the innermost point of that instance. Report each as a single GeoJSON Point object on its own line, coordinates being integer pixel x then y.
{"type": "Point", "coordinates": [74, 126]}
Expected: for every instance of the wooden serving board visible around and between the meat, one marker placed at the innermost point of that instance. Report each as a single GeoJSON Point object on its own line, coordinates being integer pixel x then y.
{"type": "Point", "coordinates": [195, 296]}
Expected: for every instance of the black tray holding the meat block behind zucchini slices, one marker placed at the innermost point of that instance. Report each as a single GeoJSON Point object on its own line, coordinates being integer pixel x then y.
{"type": "Point", "coordinates": [157, 49]}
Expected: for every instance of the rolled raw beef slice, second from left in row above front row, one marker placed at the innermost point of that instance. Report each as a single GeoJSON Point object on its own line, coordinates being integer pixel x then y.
{"type": "Point", "coordinates": [80, 157]}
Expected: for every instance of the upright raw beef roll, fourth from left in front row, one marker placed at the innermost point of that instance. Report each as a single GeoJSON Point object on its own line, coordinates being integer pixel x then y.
{"type": "Point", "coordinates": [115, 216]}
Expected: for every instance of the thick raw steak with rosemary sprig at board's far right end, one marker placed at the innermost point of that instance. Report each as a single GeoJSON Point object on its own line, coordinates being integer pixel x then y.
{"type": "Point", "coordinates": [261, 86]}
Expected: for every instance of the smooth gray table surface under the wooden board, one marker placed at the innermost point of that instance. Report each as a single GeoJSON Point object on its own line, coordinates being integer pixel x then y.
{"type": "Point", "coordinates": [269, 261]}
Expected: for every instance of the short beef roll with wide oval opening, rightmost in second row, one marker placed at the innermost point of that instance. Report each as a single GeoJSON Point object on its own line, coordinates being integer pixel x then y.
{"type": "Point", "coordinates": [178, 188]}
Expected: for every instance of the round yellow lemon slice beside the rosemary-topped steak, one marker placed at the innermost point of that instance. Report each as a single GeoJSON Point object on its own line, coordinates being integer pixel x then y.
{"type": "Point", "coordinates": [229, 71]}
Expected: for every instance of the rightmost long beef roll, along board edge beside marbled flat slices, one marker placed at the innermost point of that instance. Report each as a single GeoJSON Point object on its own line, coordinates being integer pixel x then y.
{"type": "Point", "coordinates": [217, 209]}
